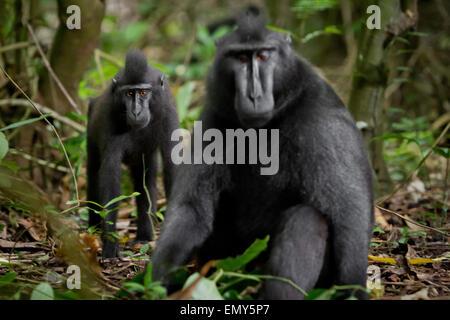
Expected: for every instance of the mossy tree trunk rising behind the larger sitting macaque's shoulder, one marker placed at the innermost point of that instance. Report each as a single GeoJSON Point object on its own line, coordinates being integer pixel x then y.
{"type": "Point", "coordinates": [367, 103]}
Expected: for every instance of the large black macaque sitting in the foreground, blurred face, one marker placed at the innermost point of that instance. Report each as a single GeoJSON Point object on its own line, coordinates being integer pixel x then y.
{"type": "Point", "coordinates": [318, 207]}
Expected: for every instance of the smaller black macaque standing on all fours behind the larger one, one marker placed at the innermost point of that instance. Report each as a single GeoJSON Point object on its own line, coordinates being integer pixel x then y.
{"type": "Point", "coordinates": [128, 123]}
